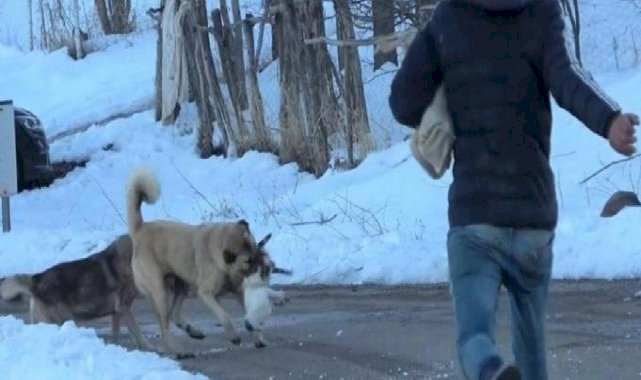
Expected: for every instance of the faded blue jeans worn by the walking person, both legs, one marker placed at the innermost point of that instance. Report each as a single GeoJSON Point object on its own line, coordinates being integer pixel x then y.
{"type": "Point", "coordinates": [481, 259]}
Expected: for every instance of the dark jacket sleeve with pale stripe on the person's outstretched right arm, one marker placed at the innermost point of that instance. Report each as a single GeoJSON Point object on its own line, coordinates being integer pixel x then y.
{"type": "Point", "coordinates": [573, 88]}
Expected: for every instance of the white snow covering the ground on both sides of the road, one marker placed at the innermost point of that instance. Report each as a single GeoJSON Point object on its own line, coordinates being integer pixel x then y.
{"type": "Point", "coordinates": [383, 222]}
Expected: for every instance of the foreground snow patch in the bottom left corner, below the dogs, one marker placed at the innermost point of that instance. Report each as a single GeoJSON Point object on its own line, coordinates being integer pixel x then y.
{"type": "Point", "coordinates": [48, 352]}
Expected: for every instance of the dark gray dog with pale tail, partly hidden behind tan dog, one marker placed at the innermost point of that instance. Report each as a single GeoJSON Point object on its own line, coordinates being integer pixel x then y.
{"type": "Point", "coordinates": [96, 286]}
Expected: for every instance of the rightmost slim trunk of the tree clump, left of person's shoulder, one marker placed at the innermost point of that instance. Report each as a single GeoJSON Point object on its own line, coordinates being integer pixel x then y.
{"type": "Point", "coordinates": [356, 107]}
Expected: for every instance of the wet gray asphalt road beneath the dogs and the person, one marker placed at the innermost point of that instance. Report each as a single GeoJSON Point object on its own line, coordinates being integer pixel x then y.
{"type": "Point", "coordinates": [371, 332]}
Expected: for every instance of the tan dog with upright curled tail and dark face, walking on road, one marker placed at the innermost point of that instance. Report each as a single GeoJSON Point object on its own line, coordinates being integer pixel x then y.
{"type": "Point", "coordinates": [213, 258]}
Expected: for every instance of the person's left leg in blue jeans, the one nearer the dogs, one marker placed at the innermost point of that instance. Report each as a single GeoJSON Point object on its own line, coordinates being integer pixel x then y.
{"type": "Point", "coordinates": [475, 279]}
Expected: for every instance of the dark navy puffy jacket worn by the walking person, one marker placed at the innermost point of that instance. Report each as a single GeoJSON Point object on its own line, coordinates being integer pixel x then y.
{"type": "Point", "coordinates": [499, 60]}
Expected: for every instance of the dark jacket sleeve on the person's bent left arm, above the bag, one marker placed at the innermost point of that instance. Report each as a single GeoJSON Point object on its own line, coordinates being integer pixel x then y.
{"type": "Point", "coordinates": [415, 83]}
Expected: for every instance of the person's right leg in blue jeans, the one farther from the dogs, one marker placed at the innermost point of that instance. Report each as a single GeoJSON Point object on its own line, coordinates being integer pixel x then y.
{"type": "Point", "coordinates": [527, 285]}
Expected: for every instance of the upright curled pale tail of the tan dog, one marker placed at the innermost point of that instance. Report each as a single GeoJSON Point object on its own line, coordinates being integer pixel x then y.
{"type": "Point", "coordinates": [143, 187]}
